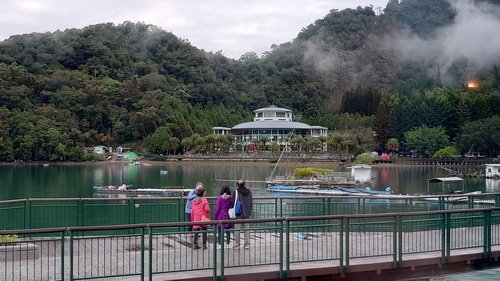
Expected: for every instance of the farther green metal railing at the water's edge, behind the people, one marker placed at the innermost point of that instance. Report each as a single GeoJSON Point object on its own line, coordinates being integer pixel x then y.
{"type": "Point", "coordinates": [62, 212]}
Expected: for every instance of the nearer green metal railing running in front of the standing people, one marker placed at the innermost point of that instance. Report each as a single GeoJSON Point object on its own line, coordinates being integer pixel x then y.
{"type": "Point", "coordinates": [278, 245]}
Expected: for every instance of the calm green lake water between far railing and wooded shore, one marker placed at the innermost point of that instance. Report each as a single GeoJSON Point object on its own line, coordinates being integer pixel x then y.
{"type": "Point", "coordinates": [77, 180]}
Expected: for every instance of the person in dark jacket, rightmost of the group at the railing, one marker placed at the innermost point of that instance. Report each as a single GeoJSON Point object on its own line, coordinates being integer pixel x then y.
{"type": "Point", "coordinates": [245, 197]}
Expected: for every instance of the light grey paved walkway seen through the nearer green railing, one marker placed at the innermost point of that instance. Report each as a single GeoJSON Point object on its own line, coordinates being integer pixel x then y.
{"type": "Point", "coordinates": [316, 248]}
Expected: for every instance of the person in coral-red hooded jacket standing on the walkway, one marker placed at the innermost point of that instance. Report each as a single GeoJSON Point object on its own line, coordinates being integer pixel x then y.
{"type": "Point", "coordinates": [200, 211]}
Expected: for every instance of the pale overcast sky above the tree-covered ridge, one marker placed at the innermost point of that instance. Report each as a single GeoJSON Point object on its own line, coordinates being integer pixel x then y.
{"type": "Point", "coordinates": [232, 26]}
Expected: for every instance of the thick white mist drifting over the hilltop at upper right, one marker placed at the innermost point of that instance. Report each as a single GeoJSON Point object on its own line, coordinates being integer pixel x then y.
{"type": "Point", "coordinates": [469, 42]}
